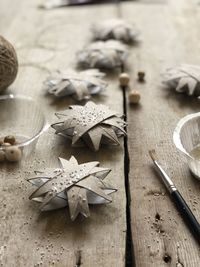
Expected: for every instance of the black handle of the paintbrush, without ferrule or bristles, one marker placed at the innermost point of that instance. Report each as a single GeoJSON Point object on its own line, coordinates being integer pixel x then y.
{"type": "Point", "coordinates": [187, 214]}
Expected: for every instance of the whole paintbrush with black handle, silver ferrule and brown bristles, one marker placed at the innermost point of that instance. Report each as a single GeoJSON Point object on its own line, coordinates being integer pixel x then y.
{"type": "Point", "coordinates": [178, 200]}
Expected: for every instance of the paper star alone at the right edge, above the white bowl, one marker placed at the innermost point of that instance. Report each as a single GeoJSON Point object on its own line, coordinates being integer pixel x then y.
{"type": "Point", "coordinates": [185, 79]}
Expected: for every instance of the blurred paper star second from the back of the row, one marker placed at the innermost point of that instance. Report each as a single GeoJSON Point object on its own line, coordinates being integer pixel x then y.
{"type": "Point", "coordinates": [102, 55]}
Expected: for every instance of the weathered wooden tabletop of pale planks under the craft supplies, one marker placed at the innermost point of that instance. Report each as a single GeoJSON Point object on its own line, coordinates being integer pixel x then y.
{"type": "Point", "coordinates": [140, 227]}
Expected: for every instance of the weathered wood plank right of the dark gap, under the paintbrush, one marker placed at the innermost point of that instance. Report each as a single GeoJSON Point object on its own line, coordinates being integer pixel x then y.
{"type": "Point", "coordinates": [169, 36]}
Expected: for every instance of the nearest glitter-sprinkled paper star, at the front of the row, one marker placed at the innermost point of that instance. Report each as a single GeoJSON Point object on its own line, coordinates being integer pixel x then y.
{"type": "Point", "coordinates": [74, 185]}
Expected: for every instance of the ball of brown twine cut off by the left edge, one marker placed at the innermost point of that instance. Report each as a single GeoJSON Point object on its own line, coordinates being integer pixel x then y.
{"type": "Point", "coordinates": [8, 64]}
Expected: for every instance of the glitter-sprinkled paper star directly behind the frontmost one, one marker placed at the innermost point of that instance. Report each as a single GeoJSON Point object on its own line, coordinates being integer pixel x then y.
{"type": "Point", "coordinates": [90, 125]}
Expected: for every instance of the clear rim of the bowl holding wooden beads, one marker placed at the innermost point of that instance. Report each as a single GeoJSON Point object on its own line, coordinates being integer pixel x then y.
{"type": "Point", "coordinates": [44, 128]}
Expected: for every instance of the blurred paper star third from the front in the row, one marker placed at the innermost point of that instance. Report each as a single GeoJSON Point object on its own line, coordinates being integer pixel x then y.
{"type": "Point", "coordinates": [81, 85]}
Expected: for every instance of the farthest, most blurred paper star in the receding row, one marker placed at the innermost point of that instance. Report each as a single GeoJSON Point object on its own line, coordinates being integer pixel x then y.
{"type": "Point", "coordinates": [114, 29]}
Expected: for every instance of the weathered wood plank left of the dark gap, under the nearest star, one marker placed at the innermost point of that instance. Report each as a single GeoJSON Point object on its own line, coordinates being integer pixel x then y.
{"type": "Point", "coordinates": [47, 40]}
